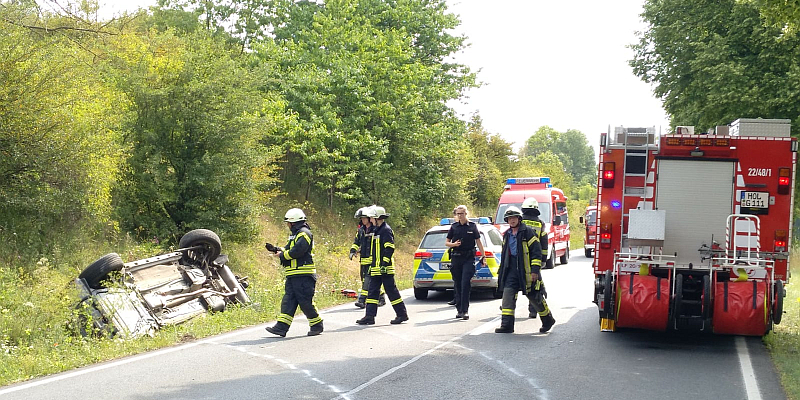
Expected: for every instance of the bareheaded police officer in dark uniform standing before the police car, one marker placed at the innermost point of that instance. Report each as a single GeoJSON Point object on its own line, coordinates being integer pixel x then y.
{"type": "Point", "coordinates": [461, 239]}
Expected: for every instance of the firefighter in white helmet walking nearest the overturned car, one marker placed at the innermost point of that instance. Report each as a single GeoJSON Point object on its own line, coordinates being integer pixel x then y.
{"type": "Point", "coordinates": [301, 276]}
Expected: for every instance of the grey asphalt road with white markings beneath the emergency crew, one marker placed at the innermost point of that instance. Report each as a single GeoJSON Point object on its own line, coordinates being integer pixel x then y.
{"type": "Point", "coordinates": [434, 356]}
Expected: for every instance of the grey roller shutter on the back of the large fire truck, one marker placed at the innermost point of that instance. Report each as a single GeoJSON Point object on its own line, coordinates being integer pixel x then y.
{"type": "Point", "coordinates": [697, 197]}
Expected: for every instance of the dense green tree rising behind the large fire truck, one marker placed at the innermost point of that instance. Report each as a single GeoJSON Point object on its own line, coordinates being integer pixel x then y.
{"type": "Point", "coordinates": [714, 61]}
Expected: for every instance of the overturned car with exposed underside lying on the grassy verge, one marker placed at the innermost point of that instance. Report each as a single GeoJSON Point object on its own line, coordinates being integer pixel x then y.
{"type": "Point", "coordinates": [163, 290]}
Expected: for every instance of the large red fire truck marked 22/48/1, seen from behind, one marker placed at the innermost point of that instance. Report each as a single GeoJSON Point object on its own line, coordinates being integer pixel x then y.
{"type": "Point", "coordinates": [693, 230]}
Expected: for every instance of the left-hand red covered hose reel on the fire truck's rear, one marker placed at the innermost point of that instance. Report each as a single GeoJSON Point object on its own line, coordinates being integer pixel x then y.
{"type": "Point", "coordinates": [643, 301]}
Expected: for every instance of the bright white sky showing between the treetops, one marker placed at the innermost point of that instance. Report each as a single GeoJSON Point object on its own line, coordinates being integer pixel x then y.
{"type": "Point", "coordinates": [563, 64]}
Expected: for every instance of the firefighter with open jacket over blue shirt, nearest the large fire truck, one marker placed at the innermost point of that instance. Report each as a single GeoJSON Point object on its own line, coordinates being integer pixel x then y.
{"type": "Point", "coordinates": [519, 271]}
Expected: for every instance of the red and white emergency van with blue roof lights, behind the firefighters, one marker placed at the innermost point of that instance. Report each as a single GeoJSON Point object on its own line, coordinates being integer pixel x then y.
{"type": "Point", "coordinates": [553, 209]}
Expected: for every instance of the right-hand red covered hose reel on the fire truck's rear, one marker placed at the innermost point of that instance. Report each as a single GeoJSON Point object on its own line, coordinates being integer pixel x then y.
{"type": "Point", "coordinates": [740, 308]}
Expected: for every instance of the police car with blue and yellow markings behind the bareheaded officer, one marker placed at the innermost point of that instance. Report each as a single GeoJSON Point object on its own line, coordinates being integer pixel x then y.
{"type": "Point", "coordinates": [432, 261]}
